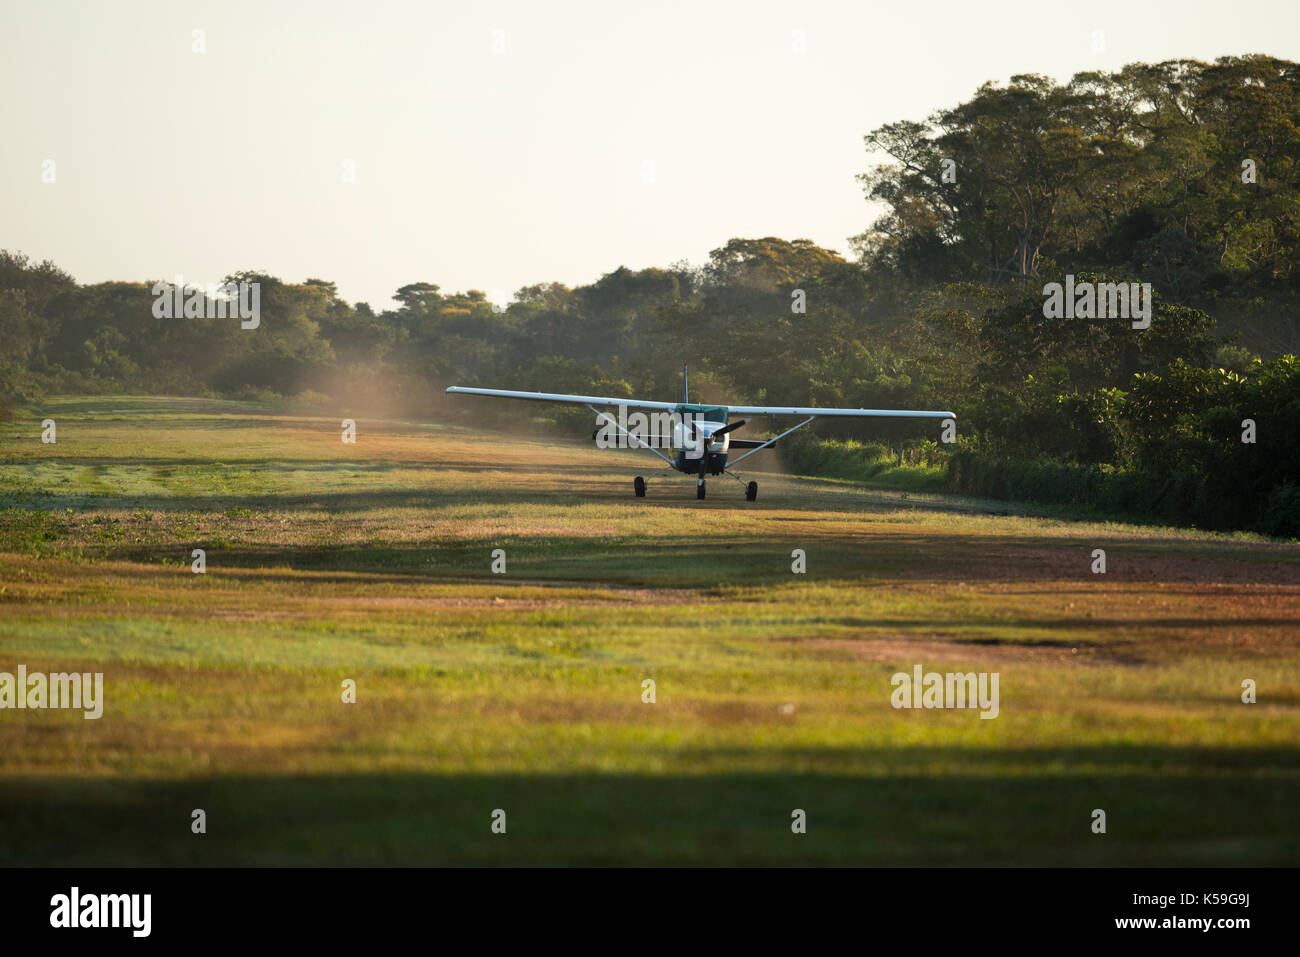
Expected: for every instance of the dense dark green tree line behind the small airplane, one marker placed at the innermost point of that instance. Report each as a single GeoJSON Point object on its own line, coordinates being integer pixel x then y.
{"type": "Point", "coordinates": [1182, 175]}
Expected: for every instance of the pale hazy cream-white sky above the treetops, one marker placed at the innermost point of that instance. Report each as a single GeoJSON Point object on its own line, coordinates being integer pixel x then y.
{"type": "Point", "coordinates": [499, 145]}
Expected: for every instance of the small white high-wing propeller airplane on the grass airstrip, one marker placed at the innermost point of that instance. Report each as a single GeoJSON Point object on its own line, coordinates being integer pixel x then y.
{"type": "Point", "coordinates": [701, 435]}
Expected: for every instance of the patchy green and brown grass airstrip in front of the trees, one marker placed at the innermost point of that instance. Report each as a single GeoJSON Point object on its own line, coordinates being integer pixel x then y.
{"type": "Point", "coordinates": [523, 691]}
